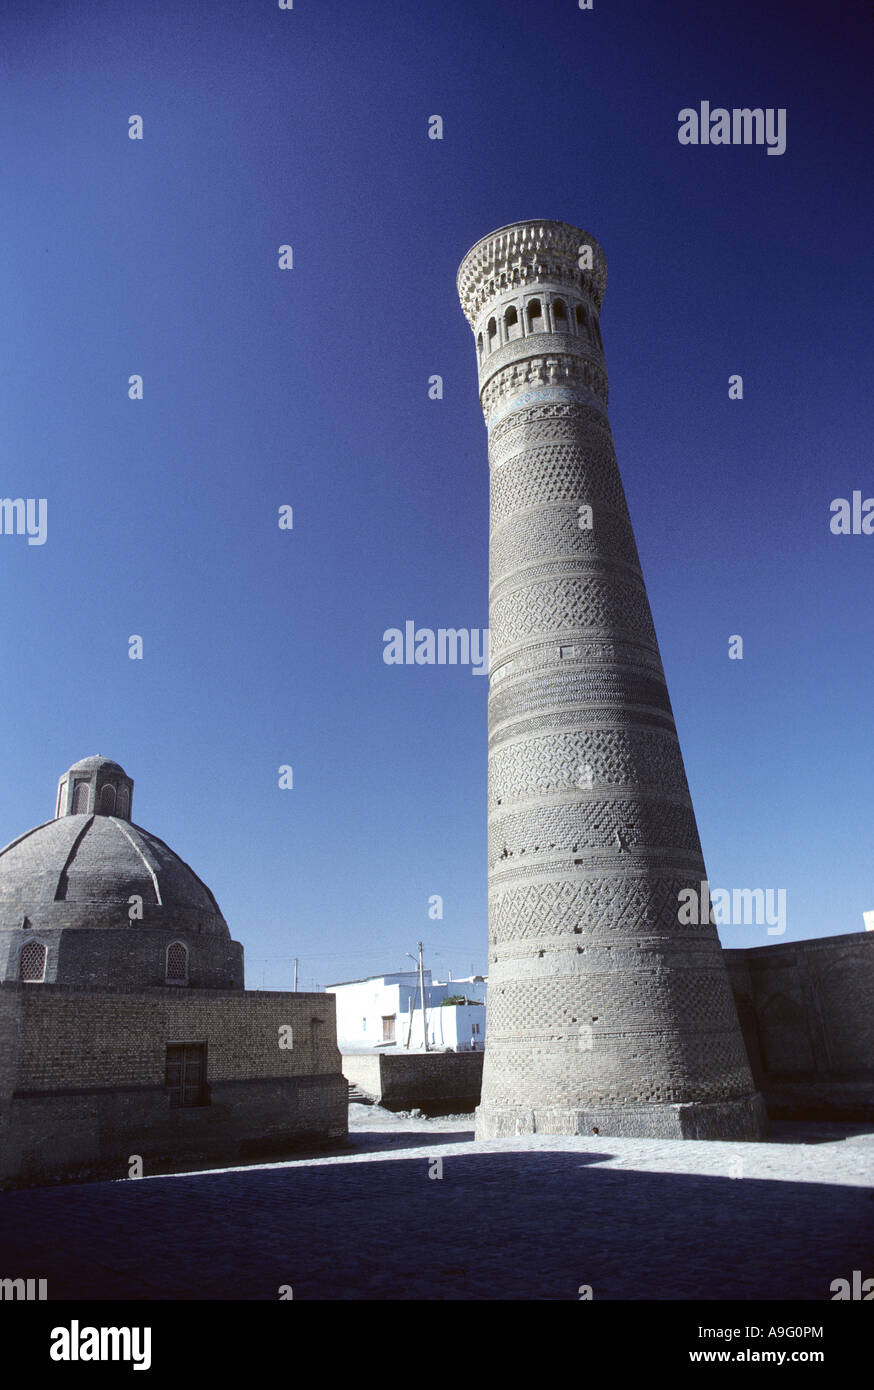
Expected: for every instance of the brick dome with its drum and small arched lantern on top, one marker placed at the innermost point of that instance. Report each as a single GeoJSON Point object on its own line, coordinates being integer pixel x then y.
{"type": "Point", "coordinates": [91, 899]}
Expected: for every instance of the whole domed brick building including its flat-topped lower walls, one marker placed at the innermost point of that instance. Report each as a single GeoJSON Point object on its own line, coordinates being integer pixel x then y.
{"type": "Point", "coordinates": [124, 1024]}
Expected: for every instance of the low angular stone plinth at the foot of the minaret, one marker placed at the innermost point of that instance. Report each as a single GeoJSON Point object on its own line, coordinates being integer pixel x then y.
{"type": "Point", "coordinates": [741, 1120]}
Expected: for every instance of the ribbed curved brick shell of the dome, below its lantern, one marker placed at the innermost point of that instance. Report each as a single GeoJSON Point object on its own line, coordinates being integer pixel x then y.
{"type": "Point", "coordinates": [83, 871]}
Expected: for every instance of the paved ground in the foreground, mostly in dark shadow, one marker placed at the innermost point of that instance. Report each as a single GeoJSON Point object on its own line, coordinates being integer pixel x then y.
{"type": "Point", "coordinates": [527, 1218]}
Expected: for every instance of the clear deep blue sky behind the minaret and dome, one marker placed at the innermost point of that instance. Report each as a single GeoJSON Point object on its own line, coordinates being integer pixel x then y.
{"type": "Point", "coordinates": [311, 389]}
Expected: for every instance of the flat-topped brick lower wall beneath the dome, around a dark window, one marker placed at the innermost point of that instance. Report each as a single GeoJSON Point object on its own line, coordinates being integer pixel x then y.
{"type": "Point", "coordinates": [83, 1079]}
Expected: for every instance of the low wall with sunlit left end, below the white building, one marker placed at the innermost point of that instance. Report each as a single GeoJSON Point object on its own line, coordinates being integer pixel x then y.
{"type": "Point", "coordinates": [430, 1082]}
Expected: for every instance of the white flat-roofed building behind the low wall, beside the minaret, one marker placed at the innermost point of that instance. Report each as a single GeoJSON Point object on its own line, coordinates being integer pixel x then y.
{"type": "Point", "coordinates": [386, 1011]}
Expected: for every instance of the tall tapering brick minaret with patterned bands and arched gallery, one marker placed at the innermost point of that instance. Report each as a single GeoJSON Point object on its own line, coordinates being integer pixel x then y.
{"type": "Point", "coordinates": [605, 1014]}
